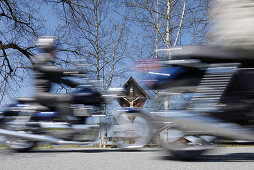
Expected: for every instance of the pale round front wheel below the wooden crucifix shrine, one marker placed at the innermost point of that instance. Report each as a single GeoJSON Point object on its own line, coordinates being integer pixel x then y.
{"type": "Point", "coordinates": [133, 131]}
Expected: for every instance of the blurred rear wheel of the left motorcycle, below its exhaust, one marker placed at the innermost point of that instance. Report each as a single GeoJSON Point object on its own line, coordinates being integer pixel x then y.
{"type": "Point", "coordinates": [20, 145]}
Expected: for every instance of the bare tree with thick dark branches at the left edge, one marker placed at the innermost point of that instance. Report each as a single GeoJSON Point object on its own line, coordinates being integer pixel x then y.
{"type": "Point", "coordinates": [20, 24]}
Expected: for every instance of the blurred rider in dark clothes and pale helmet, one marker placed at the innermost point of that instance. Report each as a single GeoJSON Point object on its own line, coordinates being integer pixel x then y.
{"type": "Point", "coordinates": [46, 74]}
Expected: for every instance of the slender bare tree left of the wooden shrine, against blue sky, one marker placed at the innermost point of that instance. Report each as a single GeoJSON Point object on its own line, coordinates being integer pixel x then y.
{"type": "Point", "coordinates": [97, 30]}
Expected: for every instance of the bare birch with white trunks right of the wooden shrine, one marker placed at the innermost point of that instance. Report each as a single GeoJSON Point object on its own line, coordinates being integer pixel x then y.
{"type": "Point", "coordinates": [168, 23]}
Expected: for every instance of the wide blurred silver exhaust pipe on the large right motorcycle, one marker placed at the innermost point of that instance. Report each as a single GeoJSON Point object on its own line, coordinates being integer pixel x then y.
{"type": "Point", "coordinates": [192, 123]}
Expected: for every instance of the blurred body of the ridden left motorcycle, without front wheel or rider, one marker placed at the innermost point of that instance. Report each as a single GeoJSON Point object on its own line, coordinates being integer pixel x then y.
{"type": "Point", "coordinates": [26, 122]}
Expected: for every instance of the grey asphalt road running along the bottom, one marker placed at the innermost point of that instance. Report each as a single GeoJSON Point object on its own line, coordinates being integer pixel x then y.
{"type": "Point", "coordinates": [224, 158]}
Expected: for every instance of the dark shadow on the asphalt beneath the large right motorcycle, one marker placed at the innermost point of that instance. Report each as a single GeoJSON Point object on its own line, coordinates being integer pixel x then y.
{"type": "Point", "coordinates": [234, 157]}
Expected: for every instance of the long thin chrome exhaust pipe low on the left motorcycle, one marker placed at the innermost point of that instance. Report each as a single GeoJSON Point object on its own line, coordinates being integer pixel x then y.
{"type": "Point", "coordinates": [40, 138]}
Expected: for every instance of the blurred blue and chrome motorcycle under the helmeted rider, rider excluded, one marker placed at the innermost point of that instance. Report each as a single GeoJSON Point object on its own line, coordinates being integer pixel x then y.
{"type": "Point", "coordinates": [26, 123]}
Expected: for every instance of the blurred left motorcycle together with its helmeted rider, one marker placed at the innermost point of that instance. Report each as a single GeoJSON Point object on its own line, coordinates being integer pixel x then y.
{"type": "Point", "coordinates": [62, 118]}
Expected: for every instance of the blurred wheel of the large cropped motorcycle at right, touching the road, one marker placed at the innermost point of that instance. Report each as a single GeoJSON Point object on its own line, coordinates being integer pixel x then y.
{"type": "Point", "coordinates": [183, 150]}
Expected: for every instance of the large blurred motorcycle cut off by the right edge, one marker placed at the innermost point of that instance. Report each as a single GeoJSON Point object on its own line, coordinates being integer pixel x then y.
{"type": "Point", "coordinates": [222, 85]}
